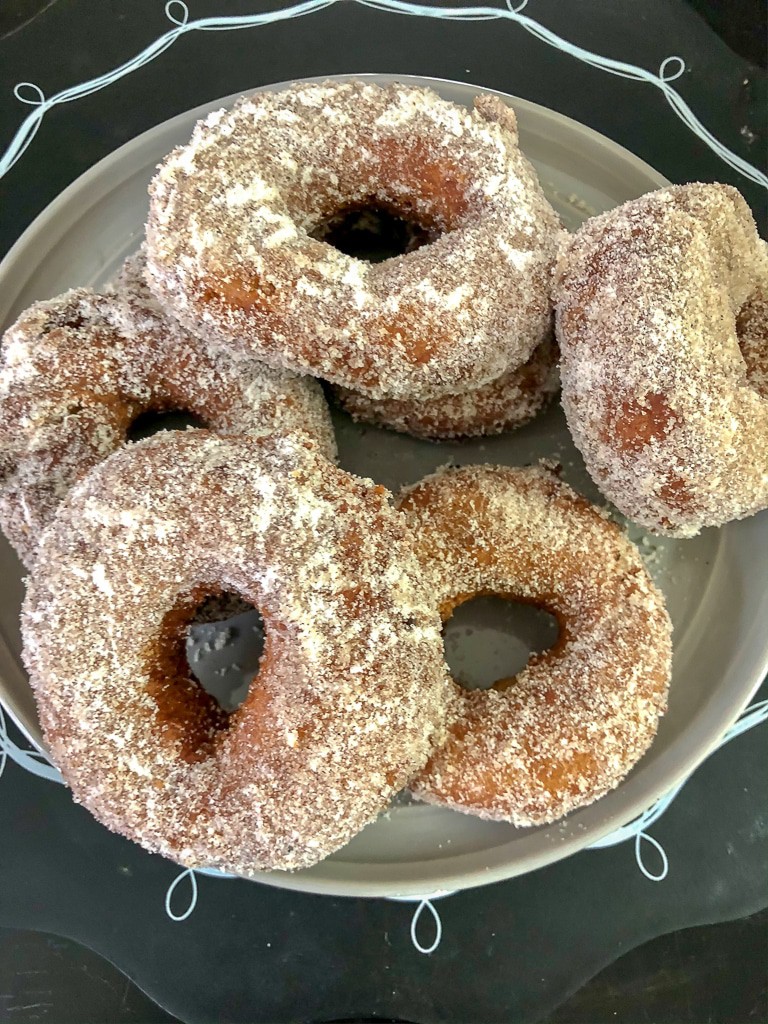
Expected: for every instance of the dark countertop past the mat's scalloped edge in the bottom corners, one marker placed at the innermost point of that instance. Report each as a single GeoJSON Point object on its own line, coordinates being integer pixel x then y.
{"type": "Point", "coordinates": [697, 974]}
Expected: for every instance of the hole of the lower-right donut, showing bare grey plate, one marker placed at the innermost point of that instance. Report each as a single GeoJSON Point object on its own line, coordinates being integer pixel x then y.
{"type": "Point", "coordinates": [490, 639]}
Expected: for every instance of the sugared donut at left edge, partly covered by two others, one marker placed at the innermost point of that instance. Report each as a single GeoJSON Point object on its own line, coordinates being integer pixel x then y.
{"type": "Point", "coordinates": [78, 370]}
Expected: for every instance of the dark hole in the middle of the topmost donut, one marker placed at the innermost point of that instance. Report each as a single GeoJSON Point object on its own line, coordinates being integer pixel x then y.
{"type": "Point", "coordinates": [374, 232]}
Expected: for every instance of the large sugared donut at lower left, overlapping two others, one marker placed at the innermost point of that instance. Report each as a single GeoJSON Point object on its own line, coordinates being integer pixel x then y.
{"type": "Point", "coordinates": [351, 691]}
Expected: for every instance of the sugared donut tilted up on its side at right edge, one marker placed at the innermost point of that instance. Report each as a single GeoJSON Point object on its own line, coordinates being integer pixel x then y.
{"type": "Point", "coordinates": [663, 325]}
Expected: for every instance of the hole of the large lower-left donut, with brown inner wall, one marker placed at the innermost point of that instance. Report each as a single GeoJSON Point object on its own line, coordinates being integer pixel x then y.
{"type": "Point", "coordinates": [209, 655]}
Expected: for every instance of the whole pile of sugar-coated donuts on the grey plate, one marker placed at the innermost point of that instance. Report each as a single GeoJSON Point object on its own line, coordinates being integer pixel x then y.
{"type": "Point", "coordinates": [235, 309]}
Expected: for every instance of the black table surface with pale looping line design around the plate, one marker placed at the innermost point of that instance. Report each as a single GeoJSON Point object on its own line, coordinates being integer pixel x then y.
{"type": "Point", "coordinates": [71, 894]}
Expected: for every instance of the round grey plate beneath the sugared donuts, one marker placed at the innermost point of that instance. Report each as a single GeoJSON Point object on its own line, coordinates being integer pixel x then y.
{"type": "Point", "coordinates": [714, 584]}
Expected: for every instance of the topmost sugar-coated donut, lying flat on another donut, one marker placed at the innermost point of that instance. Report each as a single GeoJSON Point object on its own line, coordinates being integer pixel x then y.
{"type": "Point", "coordinates": [238, 218]}
